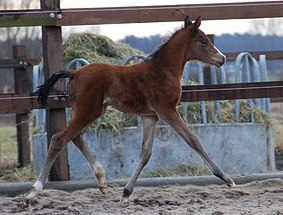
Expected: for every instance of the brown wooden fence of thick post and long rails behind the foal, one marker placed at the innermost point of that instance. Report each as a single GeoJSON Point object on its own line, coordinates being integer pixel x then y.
{"type": "Point", "coordinates": [51, 18]}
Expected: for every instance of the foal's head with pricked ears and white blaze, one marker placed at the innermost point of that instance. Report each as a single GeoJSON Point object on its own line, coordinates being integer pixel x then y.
{"type": "Point", "coordinates": [201, 48]}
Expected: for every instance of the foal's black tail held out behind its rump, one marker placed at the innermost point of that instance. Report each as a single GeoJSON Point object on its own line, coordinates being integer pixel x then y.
{"type": "Point", "coordinates": [44, 89]}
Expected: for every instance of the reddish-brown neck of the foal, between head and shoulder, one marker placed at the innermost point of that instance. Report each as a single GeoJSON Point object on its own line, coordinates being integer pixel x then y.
{"type": "Point", "coordinates": [173, 56]}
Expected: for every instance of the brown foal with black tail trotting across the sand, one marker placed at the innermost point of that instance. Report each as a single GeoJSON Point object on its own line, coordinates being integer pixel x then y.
{"type": "Point", "coordinates": [151, 89]}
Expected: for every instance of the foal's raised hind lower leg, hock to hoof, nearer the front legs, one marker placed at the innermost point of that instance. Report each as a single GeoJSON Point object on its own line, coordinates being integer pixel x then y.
{"type": "Point", "coordinates": [99, 171]}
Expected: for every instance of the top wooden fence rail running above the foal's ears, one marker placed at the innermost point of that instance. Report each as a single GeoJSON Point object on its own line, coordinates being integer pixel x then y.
{"type": "Point", "coordinates": [141, 14]}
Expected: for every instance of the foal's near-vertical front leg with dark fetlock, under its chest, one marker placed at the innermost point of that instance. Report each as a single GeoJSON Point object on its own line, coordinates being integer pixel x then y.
{"type": "Point", "coordinates": [148, 126]}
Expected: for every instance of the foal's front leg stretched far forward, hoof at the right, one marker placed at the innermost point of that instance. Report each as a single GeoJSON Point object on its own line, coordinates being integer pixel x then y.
{"type": "Point", "coordinates": [172, 117]}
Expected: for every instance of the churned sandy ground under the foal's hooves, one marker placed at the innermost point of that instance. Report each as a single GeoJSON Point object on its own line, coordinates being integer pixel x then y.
{"type": "Point", "coordinates": [256, 198]}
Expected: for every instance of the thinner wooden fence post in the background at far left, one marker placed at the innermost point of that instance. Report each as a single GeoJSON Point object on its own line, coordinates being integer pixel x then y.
{"type": "Point", "coordinates": [23, 84]}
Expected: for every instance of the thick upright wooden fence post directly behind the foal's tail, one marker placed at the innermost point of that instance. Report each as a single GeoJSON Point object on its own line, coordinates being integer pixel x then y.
{"type": "Point", "coordinates": [53, 62]}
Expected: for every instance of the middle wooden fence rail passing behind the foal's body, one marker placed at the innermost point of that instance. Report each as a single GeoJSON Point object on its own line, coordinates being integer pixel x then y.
{"type": "Point", "coordinates": [23, 102]}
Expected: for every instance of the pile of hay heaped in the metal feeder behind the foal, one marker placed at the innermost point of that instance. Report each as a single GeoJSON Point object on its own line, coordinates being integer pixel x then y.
{"type": "Point", "coordinates": [97, 48]}
